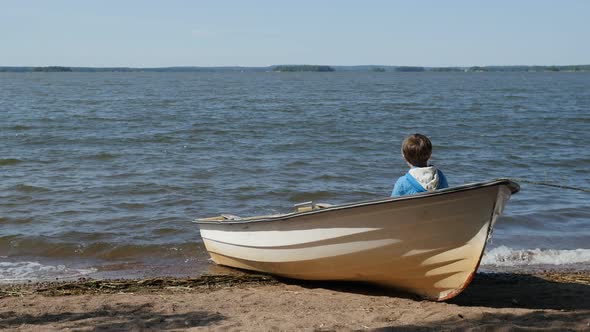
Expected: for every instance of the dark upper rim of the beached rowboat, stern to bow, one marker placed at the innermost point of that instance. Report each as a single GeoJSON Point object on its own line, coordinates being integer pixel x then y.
{"type": "Point", "coordinates": [513, 186]}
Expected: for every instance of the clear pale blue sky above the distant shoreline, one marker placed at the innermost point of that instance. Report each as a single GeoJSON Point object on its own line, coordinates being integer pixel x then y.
{"type": "Point", "coordinates": [146, 33]}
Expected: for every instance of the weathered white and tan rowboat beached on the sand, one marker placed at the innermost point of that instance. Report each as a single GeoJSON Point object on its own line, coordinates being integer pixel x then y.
{"type": "Point", "coordinates": [429, 244]}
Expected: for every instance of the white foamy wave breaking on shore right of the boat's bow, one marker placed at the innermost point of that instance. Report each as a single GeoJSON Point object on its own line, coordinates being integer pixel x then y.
{"type": "Point", "coordinates": [505, 256]}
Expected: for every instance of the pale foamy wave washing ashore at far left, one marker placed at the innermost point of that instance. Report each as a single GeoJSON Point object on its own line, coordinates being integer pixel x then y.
{"type": "Point", "coordinates": [21, 271]}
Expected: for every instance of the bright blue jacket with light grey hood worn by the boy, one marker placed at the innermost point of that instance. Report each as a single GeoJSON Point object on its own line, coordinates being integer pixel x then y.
{"type": "Point", "coordinates": [420, 179]}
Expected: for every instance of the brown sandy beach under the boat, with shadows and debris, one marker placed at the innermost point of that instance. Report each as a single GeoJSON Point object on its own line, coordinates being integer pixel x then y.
{"type": "Point", "coordinates": [502, 301]}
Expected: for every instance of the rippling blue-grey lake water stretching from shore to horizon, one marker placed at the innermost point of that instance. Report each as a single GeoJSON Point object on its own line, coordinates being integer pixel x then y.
{"type": "Point", "coordinates": [101, 173]}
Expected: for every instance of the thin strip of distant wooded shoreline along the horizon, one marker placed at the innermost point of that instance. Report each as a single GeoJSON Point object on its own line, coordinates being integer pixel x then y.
{"type": "Point", "coordinates": [304, 68]}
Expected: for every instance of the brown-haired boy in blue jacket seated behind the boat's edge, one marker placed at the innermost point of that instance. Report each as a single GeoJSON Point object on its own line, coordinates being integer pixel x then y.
{"type": "Point", "coordinates": [416, 151]}
